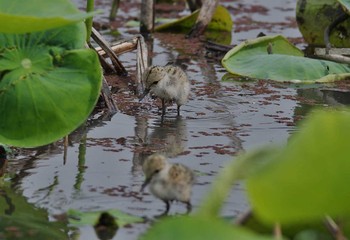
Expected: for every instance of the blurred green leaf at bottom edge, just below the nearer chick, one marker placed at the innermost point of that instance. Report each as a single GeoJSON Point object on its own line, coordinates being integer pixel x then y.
{"type": "Point", "coordinates": [198, 228]}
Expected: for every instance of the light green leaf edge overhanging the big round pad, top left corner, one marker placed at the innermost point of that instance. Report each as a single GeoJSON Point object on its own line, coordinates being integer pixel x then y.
{"type": "Point", "coordinates": [18, 16]}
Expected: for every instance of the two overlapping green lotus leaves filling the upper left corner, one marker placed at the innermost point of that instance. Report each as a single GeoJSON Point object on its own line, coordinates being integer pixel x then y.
{"type": "Point", "coordinates": [49, 82]}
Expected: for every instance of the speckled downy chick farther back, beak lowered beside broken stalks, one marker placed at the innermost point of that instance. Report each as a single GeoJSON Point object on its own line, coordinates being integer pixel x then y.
{"type": "Point", "coordinates": [169, 83]}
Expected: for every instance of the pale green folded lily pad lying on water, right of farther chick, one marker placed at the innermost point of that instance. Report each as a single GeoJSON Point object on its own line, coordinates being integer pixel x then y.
{"type": "Point", "coordinates": [286, 63]}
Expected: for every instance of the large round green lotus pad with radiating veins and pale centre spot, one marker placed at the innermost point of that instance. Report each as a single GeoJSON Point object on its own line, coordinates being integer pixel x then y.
{"type": "Point", "coordinates": [46, 91]}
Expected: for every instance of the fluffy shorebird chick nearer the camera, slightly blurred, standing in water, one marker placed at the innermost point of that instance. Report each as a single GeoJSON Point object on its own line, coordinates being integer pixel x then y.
{"type": "Point", "coordinates": [169, 182]}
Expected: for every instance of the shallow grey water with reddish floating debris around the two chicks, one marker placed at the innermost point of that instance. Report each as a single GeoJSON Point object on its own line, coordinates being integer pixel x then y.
{"type": "Point", "coordinates": [102, 169]}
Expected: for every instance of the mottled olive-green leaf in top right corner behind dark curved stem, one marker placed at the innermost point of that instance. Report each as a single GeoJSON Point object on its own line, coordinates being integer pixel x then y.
{"type": "Point", "coordinates": [313, 16]}
